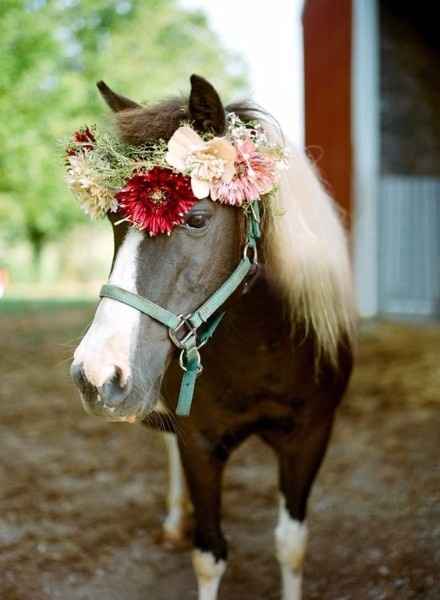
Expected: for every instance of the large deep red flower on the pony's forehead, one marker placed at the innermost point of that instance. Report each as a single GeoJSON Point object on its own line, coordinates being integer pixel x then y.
{"type": "Point", "coordinates": [156, 200]}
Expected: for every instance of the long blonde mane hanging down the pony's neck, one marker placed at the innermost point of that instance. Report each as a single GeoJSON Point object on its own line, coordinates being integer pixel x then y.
{"type": "Point", "coordinates": [307, 255]}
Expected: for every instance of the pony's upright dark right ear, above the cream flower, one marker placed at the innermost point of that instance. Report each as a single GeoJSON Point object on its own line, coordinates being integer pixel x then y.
{"type": "Point", "coordinates": [205, 107]}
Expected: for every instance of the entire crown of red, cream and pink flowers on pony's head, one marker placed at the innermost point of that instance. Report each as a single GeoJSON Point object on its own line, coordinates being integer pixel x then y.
{"type": "Point", "coordinates": [154, 185]}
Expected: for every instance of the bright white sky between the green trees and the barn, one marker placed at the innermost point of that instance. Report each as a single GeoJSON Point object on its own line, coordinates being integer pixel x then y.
{"type": "Point", "coordinates": [268, 36]}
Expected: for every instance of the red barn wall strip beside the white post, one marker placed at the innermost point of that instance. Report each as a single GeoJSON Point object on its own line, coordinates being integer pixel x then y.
{"type": "Point", "coordinates": [327, 89]}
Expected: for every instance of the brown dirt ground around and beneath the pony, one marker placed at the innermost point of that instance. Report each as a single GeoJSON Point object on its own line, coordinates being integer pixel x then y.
{"type": "Point", "coordinates": [81, 500]}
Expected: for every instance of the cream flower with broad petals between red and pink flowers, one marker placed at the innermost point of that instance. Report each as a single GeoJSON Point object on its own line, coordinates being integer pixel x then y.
{"type": "Point", "coordinates": [205, 162]}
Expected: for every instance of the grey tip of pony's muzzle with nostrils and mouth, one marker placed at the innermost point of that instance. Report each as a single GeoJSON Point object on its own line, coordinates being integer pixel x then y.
{"type": "Point", "coordinates": [111, 399]}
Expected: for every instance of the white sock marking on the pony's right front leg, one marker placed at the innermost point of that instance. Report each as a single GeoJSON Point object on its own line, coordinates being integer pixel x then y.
{"type": "Point", "coordinates": [291, 539]}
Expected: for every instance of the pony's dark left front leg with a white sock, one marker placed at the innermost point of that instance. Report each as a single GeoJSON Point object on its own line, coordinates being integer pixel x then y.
{"type": "Point", "coordinates": [204, 475]}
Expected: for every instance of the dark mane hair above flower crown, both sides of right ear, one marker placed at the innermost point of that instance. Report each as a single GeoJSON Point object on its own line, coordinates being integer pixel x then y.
{"type": "Point", "coordinates": [160, 121]}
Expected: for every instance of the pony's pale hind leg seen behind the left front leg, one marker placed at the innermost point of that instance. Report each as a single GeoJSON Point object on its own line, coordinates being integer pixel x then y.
{"type": "Point", "coordinates": [176, 526]}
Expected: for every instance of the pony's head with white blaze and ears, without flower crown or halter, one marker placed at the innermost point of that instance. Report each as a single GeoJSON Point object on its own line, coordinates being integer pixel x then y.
{"type": "Point", "coordinates": [120, 362]}
